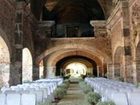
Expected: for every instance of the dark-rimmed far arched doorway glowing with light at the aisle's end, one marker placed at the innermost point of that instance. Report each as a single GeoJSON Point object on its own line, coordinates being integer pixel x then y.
{"type": "Point", "coordinates": [76, 66]}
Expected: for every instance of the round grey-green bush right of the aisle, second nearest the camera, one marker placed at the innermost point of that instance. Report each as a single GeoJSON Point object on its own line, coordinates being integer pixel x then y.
{"type": "Point", "coordinates": [93, 98]}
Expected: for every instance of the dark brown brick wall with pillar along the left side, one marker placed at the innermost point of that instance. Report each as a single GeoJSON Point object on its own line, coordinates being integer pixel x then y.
{"type": "Point", "coordinates": [18, 33]}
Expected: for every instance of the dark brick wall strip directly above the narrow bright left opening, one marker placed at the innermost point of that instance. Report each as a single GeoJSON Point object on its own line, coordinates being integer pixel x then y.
{"type": "Point", "coordinates": [29, 29]}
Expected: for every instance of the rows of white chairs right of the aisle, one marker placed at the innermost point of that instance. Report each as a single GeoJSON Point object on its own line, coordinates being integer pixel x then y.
{"type": "Point", "coordinates": [120, 92]}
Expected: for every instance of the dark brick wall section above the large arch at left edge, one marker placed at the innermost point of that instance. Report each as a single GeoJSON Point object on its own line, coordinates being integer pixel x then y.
{"type": "Point", "coordinates": [7, 20]}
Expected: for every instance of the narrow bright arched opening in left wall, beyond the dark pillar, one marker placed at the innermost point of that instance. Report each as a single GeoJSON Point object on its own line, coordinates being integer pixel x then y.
{"type": "Point", "coordinates": [27, 65]}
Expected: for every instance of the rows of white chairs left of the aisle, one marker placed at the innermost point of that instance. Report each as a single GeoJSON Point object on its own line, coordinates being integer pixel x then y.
{"type": "Point", "coordinates": [29, 93]}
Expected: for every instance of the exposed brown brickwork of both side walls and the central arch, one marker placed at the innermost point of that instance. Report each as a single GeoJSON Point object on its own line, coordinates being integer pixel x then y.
{"type": "Point", "coordinates": [122, 32]}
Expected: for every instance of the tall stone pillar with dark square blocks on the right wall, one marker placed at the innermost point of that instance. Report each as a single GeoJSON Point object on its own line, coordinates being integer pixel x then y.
{"type": "Point", "coordinates": [127, 42]}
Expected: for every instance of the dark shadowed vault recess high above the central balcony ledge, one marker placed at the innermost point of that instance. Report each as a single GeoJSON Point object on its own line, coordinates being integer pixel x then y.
{"type": "Point", "coordinates": [72, 11]}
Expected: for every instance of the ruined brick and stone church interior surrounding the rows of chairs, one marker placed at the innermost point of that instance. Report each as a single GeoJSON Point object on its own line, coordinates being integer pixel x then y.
{"type": "Point", "coordinates": [37, 44]}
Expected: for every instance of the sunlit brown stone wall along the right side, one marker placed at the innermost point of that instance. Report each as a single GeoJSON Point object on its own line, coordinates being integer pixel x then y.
{"type": "Point", "coordinates": [123, 27]}
